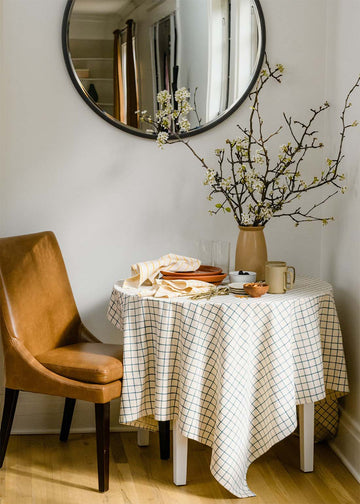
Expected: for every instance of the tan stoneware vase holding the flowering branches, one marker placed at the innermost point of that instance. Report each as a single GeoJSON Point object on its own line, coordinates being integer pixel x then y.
{"type": "Point", "coordinates": [251, 253]}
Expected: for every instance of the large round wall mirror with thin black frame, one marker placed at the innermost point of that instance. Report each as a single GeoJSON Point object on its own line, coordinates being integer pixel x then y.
{"type": "Point", "coordinates": [121, 53]}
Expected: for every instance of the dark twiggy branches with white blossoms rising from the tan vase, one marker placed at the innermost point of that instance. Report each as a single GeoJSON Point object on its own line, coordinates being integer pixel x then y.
{"type": "Point", "coordinates": [247, 182]}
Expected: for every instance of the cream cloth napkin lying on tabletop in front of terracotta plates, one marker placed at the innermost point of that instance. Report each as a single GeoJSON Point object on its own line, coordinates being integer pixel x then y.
{"type": "Point", "coordinates": [174, 288]}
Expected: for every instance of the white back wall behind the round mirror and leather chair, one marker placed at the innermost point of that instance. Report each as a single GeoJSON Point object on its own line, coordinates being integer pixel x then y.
{"type": "Point", "coordinates": [112, 198]}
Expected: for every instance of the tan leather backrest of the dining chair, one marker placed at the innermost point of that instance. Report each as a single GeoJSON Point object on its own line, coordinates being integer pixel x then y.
{"type": "Point", "coordinates": [37, 304]}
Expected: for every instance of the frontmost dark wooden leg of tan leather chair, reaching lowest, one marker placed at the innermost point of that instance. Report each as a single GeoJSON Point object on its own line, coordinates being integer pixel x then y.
{"type": "Point", "coordinates": [102, 414]}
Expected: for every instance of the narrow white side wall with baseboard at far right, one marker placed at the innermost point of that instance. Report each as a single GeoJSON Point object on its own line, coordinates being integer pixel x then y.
{"type": "Point", "coordinates": [341, 242]}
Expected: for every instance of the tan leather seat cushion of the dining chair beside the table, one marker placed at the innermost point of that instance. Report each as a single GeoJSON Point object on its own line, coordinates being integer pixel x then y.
{"type": "Point", "coordinates": [87, 362]}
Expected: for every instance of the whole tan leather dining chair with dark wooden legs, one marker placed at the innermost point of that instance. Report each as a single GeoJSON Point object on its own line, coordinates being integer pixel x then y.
{"type": "Point", "coordinates": [47, 349]}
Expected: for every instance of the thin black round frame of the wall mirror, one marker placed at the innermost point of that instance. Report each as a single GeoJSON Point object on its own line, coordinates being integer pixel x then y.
{"type": "Point", "coordinates": [129, 129]}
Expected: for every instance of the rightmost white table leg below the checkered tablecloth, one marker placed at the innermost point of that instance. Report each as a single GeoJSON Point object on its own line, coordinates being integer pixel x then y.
{"type": "Point", "coordinates": [306, 431]}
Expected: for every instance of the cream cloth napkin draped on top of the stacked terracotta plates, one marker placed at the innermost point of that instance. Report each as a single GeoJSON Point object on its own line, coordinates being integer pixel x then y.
{"type": "Point", "coordinates": [146, 272]}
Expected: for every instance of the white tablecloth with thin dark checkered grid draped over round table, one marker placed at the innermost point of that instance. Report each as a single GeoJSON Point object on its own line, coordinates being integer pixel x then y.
{"type": "Point", "coordinates": [229, 370]}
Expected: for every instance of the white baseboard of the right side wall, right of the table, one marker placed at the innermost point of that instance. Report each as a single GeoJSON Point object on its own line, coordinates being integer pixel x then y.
{"type": "Point", "coordinates": [346, 445]}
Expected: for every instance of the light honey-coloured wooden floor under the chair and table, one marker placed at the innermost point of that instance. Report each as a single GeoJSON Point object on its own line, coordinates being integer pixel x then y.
{"type": "Point", "coordinates": [41, 470]}
